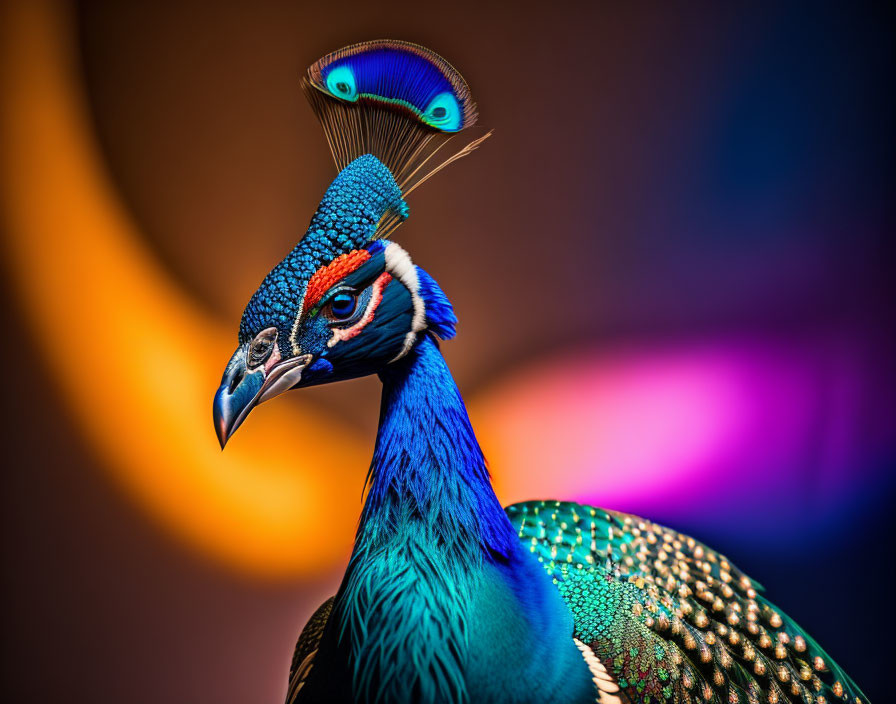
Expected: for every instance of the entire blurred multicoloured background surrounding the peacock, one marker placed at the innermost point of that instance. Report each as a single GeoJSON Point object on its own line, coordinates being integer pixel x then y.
{"type": "Point", "coordinates": [669, 266]}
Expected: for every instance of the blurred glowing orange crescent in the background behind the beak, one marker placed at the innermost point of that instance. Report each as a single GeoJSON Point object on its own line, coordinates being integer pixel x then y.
{"type": "Point", "coordinates": [122, 339]}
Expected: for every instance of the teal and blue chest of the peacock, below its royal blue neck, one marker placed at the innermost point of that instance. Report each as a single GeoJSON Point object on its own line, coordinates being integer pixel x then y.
{"type": "Point", "coordinates": [418, 629]}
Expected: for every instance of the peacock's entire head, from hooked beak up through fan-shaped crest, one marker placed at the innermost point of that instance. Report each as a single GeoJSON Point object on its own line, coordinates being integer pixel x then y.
{"type": "Point", "coordinates": [347, 301]}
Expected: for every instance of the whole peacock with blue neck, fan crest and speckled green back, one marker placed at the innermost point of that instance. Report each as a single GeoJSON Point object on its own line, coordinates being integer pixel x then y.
{"type": "Point", "coordinates": [448, 597]}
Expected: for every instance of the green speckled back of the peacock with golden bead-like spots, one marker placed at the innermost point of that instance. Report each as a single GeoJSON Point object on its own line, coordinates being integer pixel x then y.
{"type": "Point", "coordinates": [673, 620]}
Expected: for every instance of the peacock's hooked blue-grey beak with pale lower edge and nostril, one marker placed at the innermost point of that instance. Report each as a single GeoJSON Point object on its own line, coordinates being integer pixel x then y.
{"type": "Point", "coordinates": [242, 388]}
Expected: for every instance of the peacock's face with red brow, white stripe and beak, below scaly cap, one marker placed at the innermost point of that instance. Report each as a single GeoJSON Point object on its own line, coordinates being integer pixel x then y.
{"type": "Point", "coordinates": [354, 315]}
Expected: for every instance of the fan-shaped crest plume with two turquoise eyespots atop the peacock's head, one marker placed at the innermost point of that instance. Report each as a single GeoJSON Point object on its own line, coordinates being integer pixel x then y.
{"type": "Point", "coordinates": [396, 100]}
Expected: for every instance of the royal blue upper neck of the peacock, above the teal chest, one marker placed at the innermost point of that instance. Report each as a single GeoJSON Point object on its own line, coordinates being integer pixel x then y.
{"type": "Point", "coordinates": [428, 475]}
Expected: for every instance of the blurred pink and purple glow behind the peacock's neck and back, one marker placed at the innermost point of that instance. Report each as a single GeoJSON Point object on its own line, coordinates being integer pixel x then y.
{"type": "Point", "coordinates": [774, 432]}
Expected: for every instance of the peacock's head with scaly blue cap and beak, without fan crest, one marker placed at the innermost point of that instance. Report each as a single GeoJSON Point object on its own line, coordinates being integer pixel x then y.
{"type": "Point", "coordinates": [343, 304]}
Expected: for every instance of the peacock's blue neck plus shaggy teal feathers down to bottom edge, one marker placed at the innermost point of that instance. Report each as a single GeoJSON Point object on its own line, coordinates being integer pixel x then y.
{"type": "Point", "coordinates": [430, 526]}
